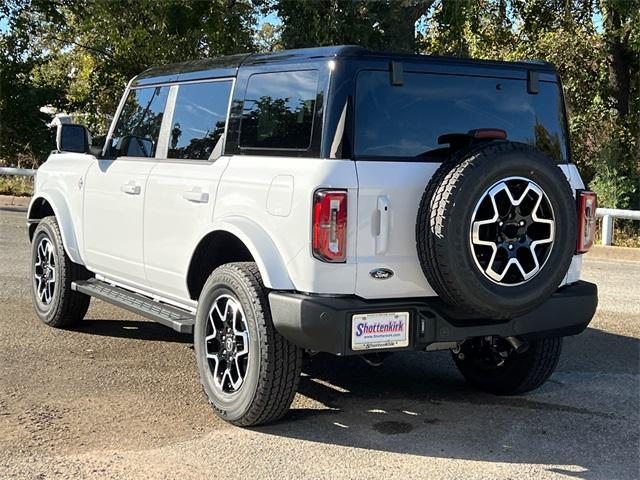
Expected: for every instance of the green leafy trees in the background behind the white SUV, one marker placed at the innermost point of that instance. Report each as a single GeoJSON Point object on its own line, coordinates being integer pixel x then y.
{"type": "Point", "coordinates": [77, 55]}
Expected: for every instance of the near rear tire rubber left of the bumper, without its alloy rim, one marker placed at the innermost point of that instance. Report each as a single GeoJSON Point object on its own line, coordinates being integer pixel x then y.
{"type": "Point", "coordinates": [274, 363]}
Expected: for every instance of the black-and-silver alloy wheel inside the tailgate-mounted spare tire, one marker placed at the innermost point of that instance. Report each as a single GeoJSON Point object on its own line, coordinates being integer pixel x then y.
{"type": "Point", "coordinates": [512, 231]}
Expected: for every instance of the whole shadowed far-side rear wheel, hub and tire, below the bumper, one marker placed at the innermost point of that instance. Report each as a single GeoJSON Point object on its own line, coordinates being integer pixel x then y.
{"type": "Point", "coordinates": [491, 364]}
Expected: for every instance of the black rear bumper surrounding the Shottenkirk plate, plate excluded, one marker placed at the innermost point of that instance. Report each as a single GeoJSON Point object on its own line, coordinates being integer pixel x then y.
{"type": "Point", "coordinates": [323, 323]}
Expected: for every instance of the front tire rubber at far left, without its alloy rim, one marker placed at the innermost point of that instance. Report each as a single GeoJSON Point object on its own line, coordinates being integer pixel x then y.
{"type": "Point", "coordinates": [65, 307]}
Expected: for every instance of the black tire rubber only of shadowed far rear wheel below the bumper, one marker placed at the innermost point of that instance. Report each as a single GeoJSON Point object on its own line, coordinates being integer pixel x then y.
{"type": "Point", "coordinates": [521, 372]}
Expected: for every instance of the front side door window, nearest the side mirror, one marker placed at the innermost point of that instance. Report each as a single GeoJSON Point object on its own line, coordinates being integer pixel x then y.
{"type": "Point", "coordinates": [137, 130]}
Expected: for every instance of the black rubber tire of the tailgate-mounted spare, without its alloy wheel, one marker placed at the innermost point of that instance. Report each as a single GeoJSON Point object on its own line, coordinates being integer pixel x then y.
{"type": "Point", "coordinates": [444, 222]}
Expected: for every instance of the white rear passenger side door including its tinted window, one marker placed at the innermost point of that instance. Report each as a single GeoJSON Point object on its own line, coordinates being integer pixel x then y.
{"type": "Point", "coordinates": [181, 190]}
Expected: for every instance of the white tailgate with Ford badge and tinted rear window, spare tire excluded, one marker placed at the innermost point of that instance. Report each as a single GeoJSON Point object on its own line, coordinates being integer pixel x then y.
{"type": "Point", "coordinates": [396, 131]}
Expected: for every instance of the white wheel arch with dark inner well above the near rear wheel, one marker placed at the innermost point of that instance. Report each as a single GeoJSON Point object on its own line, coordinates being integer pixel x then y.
{"type": "Point", "coordinates": [236, 239]}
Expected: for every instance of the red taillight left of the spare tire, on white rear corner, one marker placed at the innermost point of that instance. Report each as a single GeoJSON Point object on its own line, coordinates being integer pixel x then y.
{"type": "Point", "coordinates": [330, 225]}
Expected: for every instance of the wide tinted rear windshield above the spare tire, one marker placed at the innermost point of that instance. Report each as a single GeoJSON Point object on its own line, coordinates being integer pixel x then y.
{"type": "Point", "coordinates": [406, 121]}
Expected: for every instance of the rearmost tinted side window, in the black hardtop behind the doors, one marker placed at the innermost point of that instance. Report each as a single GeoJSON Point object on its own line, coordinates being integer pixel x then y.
{"type": "Point", "coordinates": [278, 110]}
